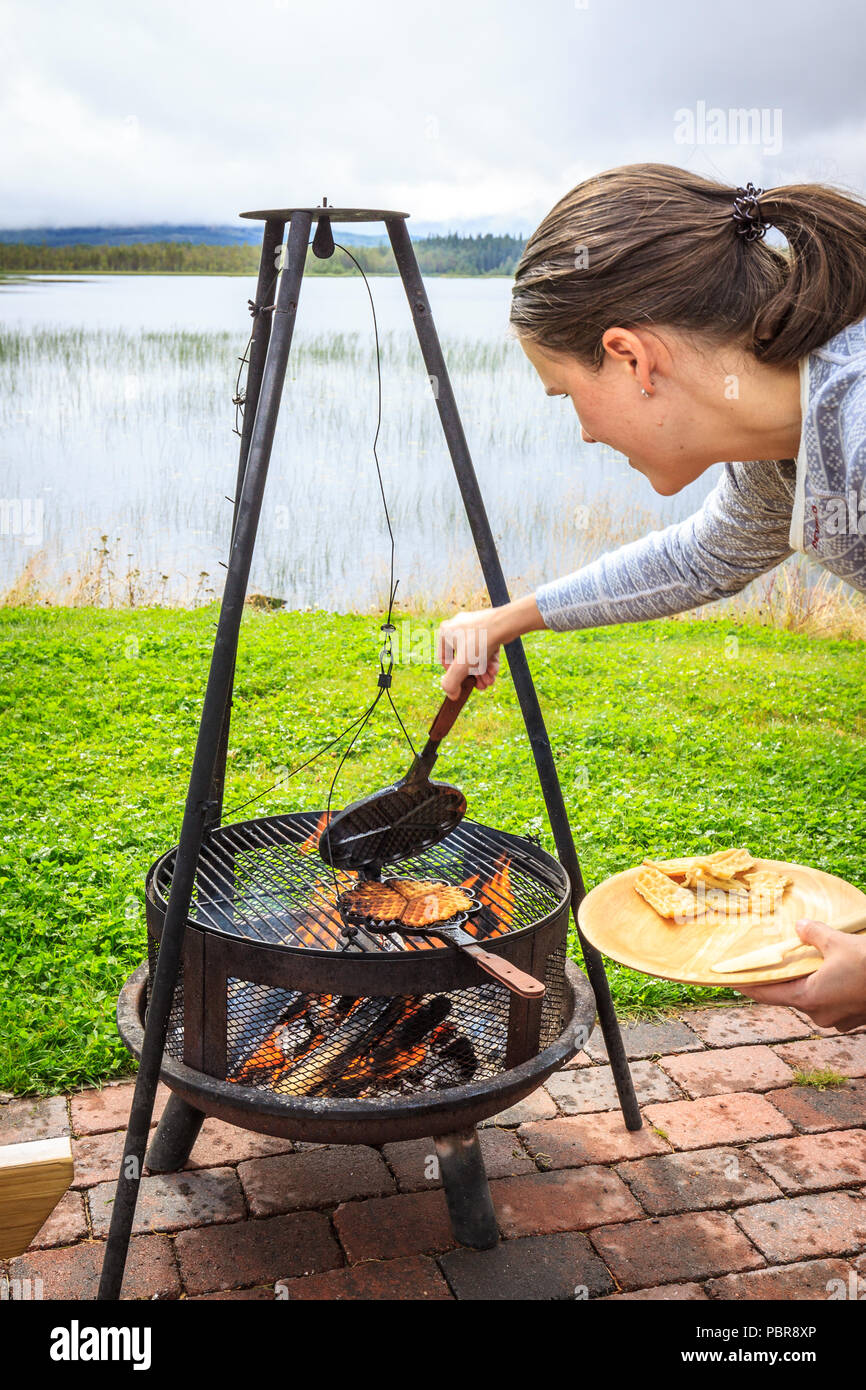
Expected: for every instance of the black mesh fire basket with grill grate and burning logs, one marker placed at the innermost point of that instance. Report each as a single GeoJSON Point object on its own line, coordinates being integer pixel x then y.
{"type": "Point", "coordinates": [284, 995]}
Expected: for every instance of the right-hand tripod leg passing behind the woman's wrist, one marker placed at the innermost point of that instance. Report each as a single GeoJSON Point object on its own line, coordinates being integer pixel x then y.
{"type": "Point", "coordinates": [519, 667]}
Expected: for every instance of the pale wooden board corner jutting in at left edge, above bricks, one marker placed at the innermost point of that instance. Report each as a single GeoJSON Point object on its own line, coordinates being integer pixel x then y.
{"type": "Point", "coordinates": [33, 1181]}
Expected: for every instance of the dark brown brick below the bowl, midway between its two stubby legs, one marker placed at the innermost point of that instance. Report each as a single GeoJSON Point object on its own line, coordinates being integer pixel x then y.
{"type": "Point", "coordinates": [323, 1178]}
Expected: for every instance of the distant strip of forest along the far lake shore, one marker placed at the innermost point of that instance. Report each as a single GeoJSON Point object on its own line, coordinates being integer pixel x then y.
{"type": "Point", "coordinates": [455, 255]}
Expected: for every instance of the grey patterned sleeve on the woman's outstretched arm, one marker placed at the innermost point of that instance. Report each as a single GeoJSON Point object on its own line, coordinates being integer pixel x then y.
{"type": "Point", "coordinates": [742, 532]}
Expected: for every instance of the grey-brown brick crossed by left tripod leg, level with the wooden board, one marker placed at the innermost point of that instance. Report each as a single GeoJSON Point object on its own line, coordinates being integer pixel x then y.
{"type": "Point", "coordinates": [172, 1202]}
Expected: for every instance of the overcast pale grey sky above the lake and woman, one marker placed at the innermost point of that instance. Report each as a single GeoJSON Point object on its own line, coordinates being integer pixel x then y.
{"type": "Point", "coordinates": [475, 115]}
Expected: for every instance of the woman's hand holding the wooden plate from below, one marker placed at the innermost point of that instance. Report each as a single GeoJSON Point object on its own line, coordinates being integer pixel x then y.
{"type": "Point", "coordinates": [835, 997]}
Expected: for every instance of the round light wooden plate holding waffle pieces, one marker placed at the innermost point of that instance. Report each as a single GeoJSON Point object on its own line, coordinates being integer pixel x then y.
{"type": "Point", "coordinates": [625, 928]}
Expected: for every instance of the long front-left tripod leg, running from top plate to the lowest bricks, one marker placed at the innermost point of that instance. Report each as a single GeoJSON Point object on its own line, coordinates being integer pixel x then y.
{"type": "Point", "coordinates": [198, 799]}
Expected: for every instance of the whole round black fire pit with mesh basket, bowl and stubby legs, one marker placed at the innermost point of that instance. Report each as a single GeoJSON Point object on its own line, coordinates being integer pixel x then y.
{"type": "Point", "coordinates": [290, 1021]}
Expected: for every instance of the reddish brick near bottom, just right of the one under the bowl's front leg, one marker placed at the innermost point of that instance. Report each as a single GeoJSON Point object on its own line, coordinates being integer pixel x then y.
{"type": "Point", "coordinates": [675, 1249]}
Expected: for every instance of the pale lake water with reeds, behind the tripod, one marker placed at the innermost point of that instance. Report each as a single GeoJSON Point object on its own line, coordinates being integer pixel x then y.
{"type": "Point", "coordinates": [117, 422]}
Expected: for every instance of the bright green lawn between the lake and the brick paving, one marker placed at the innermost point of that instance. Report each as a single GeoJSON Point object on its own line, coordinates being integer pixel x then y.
{"type": "Point", "coordinates": [668, 742]}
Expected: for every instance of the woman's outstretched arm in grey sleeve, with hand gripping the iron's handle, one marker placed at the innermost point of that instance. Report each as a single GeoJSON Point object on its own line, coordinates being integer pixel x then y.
{"type": "Point", "coordinates": [740, 533]}
